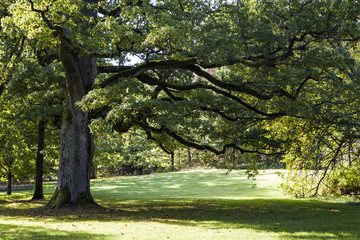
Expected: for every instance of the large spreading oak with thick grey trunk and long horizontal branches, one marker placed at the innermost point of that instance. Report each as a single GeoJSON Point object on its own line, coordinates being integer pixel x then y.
{"type": "Point", "coordinates": [213, 74]}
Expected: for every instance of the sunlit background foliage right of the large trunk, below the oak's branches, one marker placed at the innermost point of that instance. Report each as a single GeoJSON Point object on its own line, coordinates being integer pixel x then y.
{"type": "Point", "coordinates": [127, 153]}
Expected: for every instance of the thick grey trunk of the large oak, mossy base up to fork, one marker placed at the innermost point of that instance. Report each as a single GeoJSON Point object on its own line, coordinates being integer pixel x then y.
{"type": "Point", "coordinates": [77, 148]}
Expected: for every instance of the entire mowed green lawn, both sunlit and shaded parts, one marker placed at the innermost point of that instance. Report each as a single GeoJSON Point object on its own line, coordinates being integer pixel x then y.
{"type": "Point", "coordinates": [206, 204]}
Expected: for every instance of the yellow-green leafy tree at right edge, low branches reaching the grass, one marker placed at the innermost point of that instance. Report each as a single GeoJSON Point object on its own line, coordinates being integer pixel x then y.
{"type": "Point", "coordinates": [326, 148]}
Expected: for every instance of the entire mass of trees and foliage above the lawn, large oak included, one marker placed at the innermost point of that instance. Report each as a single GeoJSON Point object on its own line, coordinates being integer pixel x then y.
{"type": "Point", "coordinates": [237, 83]}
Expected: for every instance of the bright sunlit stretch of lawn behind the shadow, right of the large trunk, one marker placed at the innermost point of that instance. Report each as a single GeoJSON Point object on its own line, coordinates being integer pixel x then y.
{"type": "Point", "coordinates": [197, 184]}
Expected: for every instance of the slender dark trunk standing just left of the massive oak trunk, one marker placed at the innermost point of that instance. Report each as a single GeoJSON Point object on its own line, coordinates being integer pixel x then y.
{"type": "Point", "coordinates": [38, 193]}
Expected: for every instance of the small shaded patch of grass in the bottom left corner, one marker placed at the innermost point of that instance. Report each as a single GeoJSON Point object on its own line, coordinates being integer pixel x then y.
{"type": "Point", "coordinates": [13, 231]}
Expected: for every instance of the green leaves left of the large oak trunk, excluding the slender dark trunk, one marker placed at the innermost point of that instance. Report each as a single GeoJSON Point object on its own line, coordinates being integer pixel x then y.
{"type": "Point", "coordinates": [31, 92]}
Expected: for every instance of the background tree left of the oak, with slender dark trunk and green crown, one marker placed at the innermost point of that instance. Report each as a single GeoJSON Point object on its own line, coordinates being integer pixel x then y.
{"type": "Point", "coordinates": [28, 95]}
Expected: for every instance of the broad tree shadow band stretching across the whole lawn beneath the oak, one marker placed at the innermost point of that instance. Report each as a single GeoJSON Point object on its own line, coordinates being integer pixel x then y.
{"type": "Point", "coordinates": [301, 219]}
